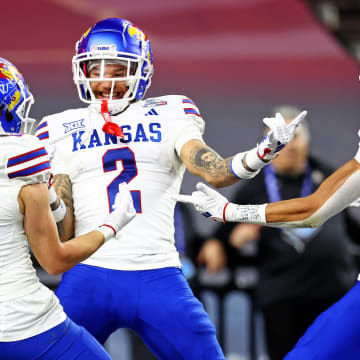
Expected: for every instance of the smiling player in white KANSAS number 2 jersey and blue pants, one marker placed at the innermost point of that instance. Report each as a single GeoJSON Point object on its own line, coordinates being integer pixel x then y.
{"type": "Point", "coordinates": [137, 282]}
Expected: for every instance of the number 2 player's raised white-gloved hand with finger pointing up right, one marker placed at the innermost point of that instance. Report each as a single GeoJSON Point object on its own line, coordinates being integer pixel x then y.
{"type": "Point", "coordinates": [280, 135]}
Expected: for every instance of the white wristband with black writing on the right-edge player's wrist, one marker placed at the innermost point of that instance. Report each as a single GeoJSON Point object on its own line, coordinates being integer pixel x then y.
{"type": "Point", "coordinates": [250, 214]}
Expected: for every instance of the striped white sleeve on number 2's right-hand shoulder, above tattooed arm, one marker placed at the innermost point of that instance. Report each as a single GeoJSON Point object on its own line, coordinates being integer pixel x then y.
{"type": "Point", "coordinates": [194, 124]}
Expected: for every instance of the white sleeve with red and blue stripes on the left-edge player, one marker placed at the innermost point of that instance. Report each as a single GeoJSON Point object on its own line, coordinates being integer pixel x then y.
{"type": "Point", "coordinates": [28, 161]}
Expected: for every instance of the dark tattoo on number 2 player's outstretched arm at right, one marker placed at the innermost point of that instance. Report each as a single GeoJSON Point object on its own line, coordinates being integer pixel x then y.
{"type": "Point", "coordinates": [205, 158]}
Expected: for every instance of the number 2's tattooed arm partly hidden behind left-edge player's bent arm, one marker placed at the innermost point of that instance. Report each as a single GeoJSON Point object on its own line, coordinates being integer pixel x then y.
{"type": "Point", "coordinates": [63, 188]}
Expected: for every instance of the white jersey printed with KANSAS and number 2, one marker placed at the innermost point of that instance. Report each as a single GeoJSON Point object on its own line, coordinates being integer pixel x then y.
{"type": "Point", "coordinates": [147, 158]}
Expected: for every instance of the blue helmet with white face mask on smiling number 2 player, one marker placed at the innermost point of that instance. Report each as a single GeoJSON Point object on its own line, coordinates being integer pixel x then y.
{"type": "Point", "coordinates": [113, 41]}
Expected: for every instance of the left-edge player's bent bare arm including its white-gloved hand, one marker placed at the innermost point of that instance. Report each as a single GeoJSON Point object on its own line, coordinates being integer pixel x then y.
{"type": "Point", "coordinates": [40, 228]}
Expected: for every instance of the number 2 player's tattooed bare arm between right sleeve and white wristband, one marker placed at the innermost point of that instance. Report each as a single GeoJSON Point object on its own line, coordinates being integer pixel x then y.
{"type": "Point", "coordinates": [202, 160]}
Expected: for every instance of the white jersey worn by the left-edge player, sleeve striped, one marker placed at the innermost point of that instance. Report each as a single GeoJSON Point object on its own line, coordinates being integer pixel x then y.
{"type": "Point", "coordinates": [27, 307]}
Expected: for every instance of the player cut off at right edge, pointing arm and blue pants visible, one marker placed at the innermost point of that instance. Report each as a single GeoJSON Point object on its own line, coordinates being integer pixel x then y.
{"type": "Point", "coordinates": [335, 333]}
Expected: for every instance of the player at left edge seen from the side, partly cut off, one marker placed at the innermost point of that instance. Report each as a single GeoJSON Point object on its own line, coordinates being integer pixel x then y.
{"type": "Point", "coordinates": [33, 324]}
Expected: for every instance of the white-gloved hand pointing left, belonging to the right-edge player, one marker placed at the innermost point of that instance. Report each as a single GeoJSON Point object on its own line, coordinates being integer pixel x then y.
{"type": "Point", "coordinates": [206, 201]}
